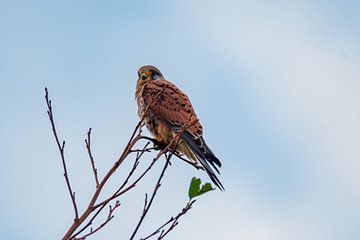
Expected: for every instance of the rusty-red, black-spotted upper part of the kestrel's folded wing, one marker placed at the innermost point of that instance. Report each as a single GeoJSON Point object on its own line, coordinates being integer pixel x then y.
{"type": "Point", "coordinates": [172, 106]}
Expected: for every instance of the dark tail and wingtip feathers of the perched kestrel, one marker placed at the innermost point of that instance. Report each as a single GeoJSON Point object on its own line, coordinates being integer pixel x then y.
{"type": "Point", "coordinates": [204, 155]}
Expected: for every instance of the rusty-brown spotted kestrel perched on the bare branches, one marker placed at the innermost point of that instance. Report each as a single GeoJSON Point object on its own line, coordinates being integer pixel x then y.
{"type": "Point", "coordinates": [168, 112]}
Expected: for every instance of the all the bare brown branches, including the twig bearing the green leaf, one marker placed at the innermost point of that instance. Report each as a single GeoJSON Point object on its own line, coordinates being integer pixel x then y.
{"type": "Point", "coordinates": [81, 228]}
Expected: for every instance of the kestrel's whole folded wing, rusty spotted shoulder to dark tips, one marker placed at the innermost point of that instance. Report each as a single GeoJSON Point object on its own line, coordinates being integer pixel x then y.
{"type": "Point", "coordinates": [174, 108]}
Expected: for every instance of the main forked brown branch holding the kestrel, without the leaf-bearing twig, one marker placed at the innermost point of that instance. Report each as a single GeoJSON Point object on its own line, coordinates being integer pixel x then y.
{"type": "Point", "coordinates": [93, 209]}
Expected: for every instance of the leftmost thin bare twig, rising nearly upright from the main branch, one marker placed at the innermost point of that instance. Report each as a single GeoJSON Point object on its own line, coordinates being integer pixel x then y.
{"type": "Point", "coordinates": [61, 150]}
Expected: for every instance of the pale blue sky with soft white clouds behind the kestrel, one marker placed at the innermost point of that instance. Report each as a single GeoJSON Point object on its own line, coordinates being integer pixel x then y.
{"type": "Point", "coordinates": [274, 83]}
